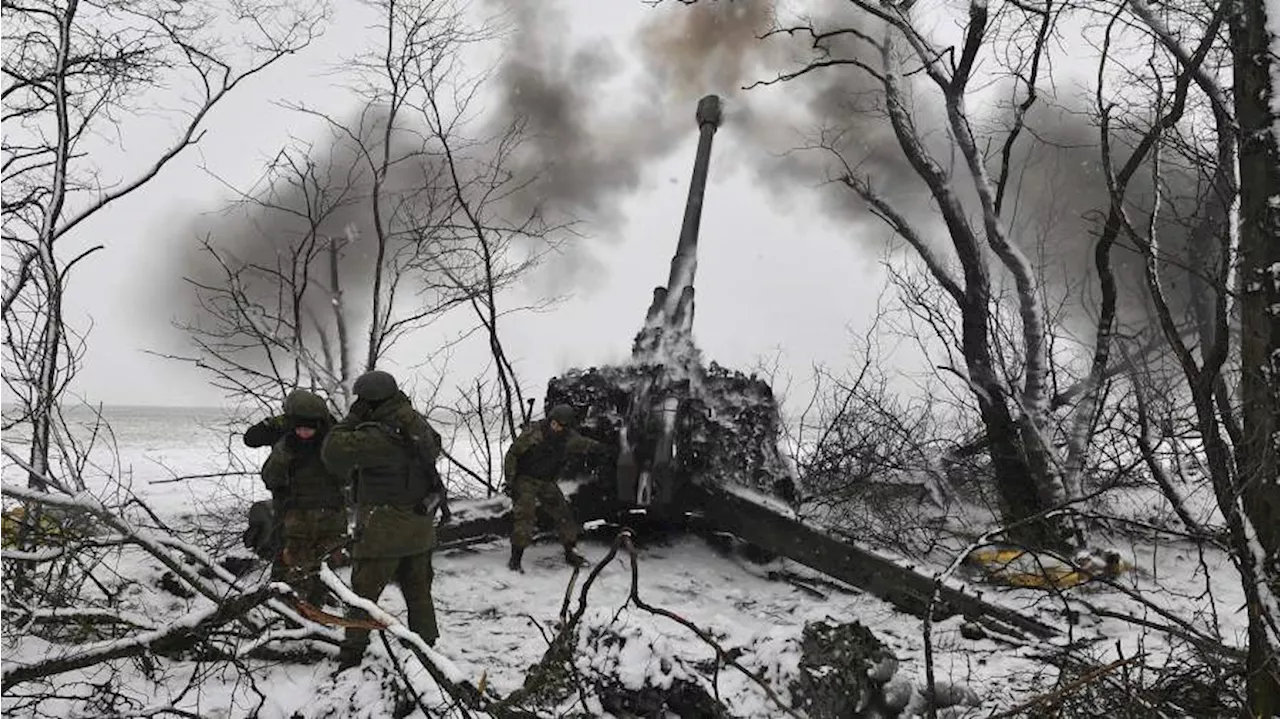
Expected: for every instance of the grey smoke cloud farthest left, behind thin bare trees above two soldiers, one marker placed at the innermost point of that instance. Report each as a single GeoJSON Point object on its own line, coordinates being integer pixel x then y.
{"type": "Point", "coordinates": [275, 241]}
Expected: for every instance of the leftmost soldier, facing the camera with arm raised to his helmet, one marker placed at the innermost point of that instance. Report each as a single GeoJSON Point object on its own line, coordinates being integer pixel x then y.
{"type": "Point", "coordinates": [308, 502]}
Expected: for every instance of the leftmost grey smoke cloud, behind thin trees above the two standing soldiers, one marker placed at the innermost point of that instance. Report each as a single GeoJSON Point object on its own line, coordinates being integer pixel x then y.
{"type": "Point", "coordinates": [314, 193]}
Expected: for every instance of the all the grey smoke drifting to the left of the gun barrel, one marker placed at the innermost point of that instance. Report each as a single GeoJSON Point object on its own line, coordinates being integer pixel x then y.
{"type": "Point", "coordinates": [577, 159]}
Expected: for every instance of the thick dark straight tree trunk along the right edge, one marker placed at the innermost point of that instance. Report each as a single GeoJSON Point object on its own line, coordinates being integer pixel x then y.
{"type": "Point", "coordinates": [1260, 319]}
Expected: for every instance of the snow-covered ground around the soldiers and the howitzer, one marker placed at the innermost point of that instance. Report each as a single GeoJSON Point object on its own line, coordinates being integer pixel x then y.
{"type": "Point", "coordinates": [496, 624]}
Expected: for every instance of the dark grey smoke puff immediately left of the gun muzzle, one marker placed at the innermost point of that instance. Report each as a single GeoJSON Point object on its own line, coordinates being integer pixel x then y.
{"type": "Point", "coordinates": [587, 149]}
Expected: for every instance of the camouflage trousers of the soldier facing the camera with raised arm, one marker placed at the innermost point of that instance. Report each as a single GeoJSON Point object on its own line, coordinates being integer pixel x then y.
{"type": "Point", "coordinates": [309, 538]}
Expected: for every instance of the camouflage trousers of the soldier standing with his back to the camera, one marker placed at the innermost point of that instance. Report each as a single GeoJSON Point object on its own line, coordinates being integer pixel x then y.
{"type": "Point", "coordinates": [371, 576]}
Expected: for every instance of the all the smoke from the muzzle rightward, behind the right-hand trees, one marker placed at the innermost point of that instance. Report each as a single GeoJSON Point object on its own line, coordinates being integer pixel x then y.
{"type": "Point", "coordinates": [1058, 195]}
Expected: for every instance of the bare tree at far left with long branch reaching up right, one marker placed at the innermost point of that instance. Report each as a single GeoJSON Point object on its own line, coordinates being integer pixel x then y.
{"type": "Point", "coordinates": [71, 72]}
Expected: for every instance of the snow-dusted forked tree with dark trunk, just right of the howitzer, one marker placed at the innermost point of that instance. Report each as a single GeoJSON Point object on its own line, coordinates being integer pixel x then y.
{"type": "Point", "coordinates": [888, 47]}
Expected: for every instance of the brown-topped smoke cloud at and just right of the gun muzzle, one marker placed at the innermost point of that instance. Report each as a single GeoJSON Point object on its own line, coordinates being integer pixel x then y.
{"type": "Point", "coordinates": [716, 47]}
